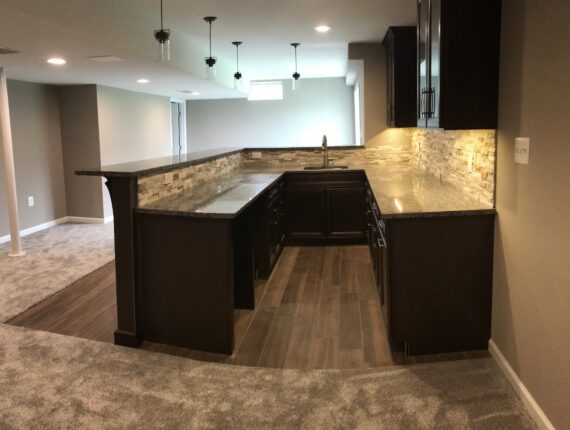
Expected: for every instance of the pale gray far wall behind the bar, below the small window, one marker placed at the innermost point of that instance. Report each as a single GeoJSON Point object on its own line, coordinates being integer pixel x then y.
{"type": "Point", "coordinates": [320, 106]}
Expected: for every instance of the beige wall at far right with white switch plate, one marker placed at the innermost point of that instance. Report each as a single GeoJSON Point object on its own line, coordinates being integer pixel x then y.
{"type": "Point", "coordinates": [531, 300]}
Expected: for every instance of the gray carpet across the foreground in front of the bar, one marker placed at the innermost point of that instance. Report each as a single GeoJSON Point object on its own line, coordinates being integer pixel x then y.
{"type": "Point", "coordinates": [51, 381]}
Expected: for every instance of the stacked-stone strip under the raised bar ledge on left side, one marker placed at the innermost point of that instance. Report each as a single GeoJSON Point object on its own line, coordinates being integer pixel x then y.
{"type": "Point", "coordinates": [156, 187]}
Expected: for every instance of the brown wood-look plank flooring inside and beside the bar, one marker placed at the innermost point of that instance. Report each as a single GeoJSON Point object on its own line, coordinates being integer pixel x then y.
{"type": "Point", "coordinates": [319, 309]}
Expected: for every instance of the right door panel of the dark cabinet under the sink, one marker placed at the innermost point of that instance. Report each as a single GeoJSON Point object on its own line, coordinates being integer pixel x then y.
{"type": "Point", "coordinates": [346, 212]}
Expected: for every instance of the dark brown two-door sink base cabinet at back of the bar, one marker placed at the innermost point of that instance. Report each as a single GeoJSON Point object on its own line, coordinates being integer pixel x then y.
{"type": "Point", "coordinates": [325, 208]}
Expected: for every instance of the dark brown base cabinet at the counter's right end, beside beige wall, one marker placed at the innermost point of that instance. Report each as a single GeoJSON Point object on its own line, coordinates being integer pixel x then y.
{"type": "Point", "coordinates": [437, 283]}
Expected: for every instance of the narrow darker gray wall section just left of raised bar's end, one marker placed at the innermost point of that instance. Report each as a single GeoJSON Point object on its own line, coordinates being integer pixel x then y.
{"type": "Point", "coordinates": [80, 139]}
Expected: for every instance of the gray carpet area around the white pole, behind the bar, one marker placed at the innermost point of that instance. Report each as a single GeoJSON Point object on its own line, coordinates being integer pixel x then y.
{"type": "Point", "coordinates": [55, 258]}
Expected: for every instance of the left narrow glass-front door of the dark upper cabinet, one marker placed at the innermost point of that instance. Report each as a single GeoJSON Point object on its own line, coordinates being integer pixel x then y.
{"type": "Point", "coordinates": [423, 61]}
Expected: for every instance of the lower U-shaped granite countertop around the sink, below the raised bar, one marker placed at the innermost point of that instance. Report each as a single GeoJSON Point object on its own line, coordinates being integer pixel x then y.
{"type": "Point", "coordinates": [398, 193]}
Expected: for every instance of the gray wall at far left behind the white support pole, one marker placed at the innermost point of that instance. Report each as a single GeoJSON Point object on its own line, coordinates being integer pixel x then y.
{"type": "Point", "coordinates": [37, 155]}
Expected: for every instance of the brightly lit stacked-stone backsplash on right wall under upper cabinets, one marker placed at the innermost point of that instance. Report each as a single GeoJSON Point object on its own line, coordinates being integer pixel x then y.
{"type": "Point", "coordinates": [464, 158]}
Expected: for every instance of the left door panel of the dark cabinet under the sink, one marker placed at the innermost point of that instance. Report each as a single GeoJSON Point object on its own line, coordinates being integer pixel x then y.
{"type": "Point", "coordinates": [305, 212]}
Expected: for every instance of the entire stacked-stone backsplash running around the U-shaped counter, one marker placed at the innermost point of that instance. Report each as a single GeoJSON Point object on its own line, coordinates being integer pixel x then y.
{"type": "Point", "coordinates": [465, 159]}
